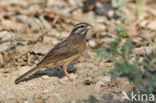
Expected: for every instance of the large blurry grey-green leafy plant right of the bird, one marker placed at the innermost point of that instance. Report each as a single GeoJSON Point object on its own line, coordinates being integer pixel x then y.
{"type": "Point", "coordinates": [141, 73]}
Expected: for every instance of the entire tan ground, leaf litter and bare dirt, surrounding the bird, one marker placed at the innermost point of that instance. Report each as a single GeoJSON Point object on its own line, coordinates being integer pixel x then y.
{"type": "Point", "coordinates": [29, 28]}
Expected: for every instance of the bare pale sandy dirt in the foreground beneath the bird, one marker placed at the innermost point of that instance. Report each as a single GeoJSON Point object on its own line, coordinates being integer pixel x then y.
{"type": "Point", "coordinates": [52, 87]}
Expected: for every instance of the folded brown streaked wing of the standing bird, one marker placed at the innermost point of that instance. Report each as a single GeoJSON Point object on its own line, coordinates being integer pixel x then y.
{"type": "Point", "coordinates": [63, 50]}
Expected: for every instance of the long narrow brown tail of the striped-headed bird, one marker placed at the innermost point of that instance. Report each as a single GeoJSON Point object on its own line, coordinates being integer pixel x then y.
{"type": "Point", "coordinates": [27, 74]}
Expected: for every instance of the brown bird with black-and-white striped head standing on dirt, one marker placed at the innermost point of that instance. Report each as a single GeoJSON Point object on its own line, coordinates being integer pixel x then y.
{"type": "Point", "coordinates": [64, 52]}
